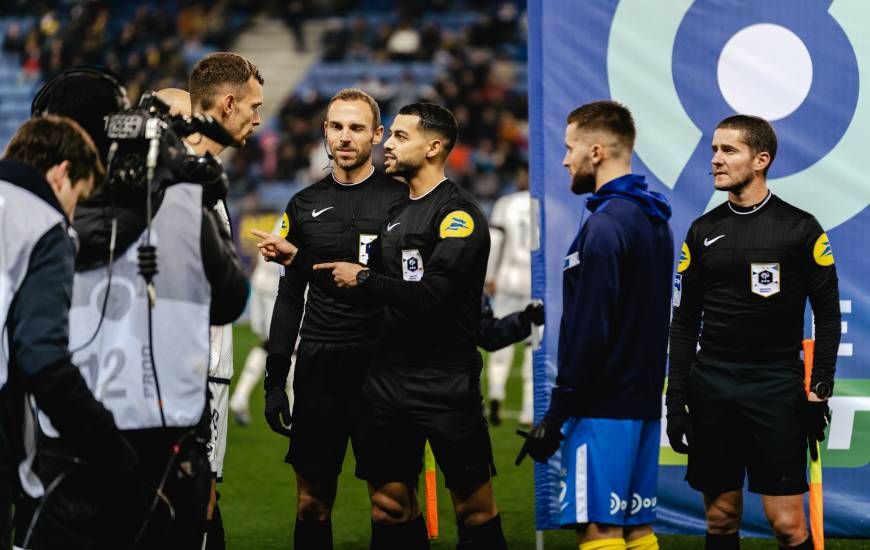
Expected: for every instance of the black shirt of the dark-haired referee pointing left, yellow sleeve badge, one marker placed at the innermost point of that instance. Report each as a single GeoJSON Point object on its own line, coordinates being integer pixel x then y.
{"type": "Point", "coordinates": [432, 256]}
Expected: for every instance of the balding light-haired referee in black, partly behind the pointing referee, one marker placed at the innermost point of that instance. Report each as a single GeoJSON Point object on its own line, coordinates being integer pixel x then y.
{"type": "Point", "coordinates": [337, 217]}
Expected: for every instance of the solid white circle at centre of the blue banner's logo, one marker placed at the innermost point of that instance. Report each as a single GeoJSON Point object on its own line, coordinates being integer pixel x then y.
{"type": "Point", "coordinates": [765, 70]}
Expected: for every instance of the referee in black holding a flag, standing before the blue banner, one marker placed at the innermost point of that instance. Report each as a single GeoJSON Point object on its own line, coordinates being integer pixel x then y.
{"type": "Point", "coordinates": [747, 267]}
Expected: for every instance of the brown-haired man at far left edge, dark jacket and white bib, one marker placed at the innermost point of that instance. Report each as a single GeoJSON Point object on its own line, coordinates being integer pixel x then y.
{"type": "Point", "coordinates": [49, 166]}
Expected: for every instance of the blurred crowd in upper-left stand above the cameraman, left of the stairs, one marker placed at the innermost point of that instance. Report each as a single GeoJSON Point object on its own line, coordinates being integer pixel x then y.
{"type": "Point", "coordinates": [145, 45]}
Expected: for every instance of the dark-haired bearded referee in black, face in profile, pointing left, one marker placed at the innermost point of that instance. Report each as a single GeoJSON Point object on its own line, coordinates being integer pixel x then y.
{"type": "Point", "coordinates": [424, 380]}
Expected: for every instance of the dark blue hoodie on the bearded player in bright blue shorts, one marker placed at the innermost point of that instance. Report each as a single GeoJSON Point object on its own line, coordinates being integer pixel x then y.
{"type": "Point", "coordinates": [616, 296]}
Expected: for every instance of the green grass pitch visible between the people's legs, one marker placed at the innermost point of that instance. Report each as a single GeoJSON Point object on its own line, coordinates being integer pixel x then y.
{"type": "Point", "coordinates": [258, 494]}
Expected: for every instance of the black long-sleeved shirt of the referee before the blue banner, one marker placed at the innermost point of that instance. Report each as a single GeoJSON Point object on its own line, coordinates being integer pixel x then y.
{"type": "Point", "coordinates": [747, 272]}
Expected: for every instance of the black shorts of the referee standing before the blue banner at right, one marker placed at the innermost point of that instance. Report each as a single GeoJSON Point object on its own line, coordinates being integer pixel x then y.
{"type": "Point", "coordinates": [746, 418]}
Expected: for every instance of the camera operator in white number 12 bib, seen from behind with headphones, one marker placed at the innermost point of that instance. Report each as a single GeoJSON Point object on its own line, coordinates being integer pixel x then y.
{"type": "Point", "coordinates": [144, 348]}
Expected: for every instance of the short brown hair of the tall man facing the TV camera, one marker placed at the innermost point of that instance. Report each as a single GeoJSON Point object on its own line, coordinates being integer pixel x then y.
{"type": "Point", "coordinates": [218, 69]}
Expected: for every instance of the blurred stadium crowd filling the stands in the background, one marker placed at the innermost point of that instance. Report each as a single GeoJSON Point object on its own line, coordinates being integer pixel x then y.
{"type": "Point", "coordinates": [477, 67]}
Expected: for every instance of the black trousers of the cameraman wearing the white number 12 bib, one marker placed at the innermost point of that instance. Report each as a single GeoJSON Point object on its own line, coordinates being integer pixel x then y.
{"type": "Point", "coordinates": [97, 509]}
